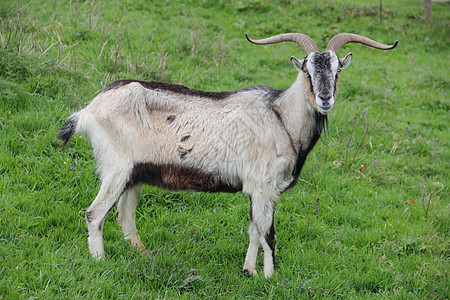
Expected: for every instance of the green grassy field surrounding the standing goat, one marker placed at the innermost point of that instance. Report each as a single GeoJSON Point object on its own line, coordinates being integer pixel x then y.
{"type": "Point", "coordinates": [368, 219]}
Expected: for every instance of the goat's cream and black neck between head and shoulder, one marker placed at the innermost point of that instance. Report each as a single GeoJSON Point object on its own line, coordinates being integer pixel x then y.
{"type": "Point", "coordinates": [302, 122]}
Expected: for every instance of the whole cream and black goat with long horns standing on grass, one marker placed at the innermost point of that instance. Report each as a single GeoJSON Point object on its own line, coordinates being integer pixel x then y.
{"type": "Point", "coordinates": [253, 140]}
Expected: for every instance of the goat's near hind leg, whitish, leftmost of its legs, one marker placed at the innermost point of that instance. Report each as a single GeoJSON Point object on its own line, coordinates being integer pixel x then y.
{"type": "Point", "coordinates": [112, 186]}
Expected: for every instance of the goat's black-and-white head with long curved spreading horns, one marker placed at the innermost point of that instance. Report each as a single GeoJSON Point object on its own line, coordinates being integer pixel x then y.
{"type": "Point", "coordinates": [322, 68]}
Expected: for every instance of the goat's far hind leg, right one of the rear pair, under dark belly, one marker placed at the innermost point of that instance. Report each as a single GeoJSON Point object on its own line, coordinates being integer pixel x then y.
{"type": "Point", "coordinates": [126, 216]}
